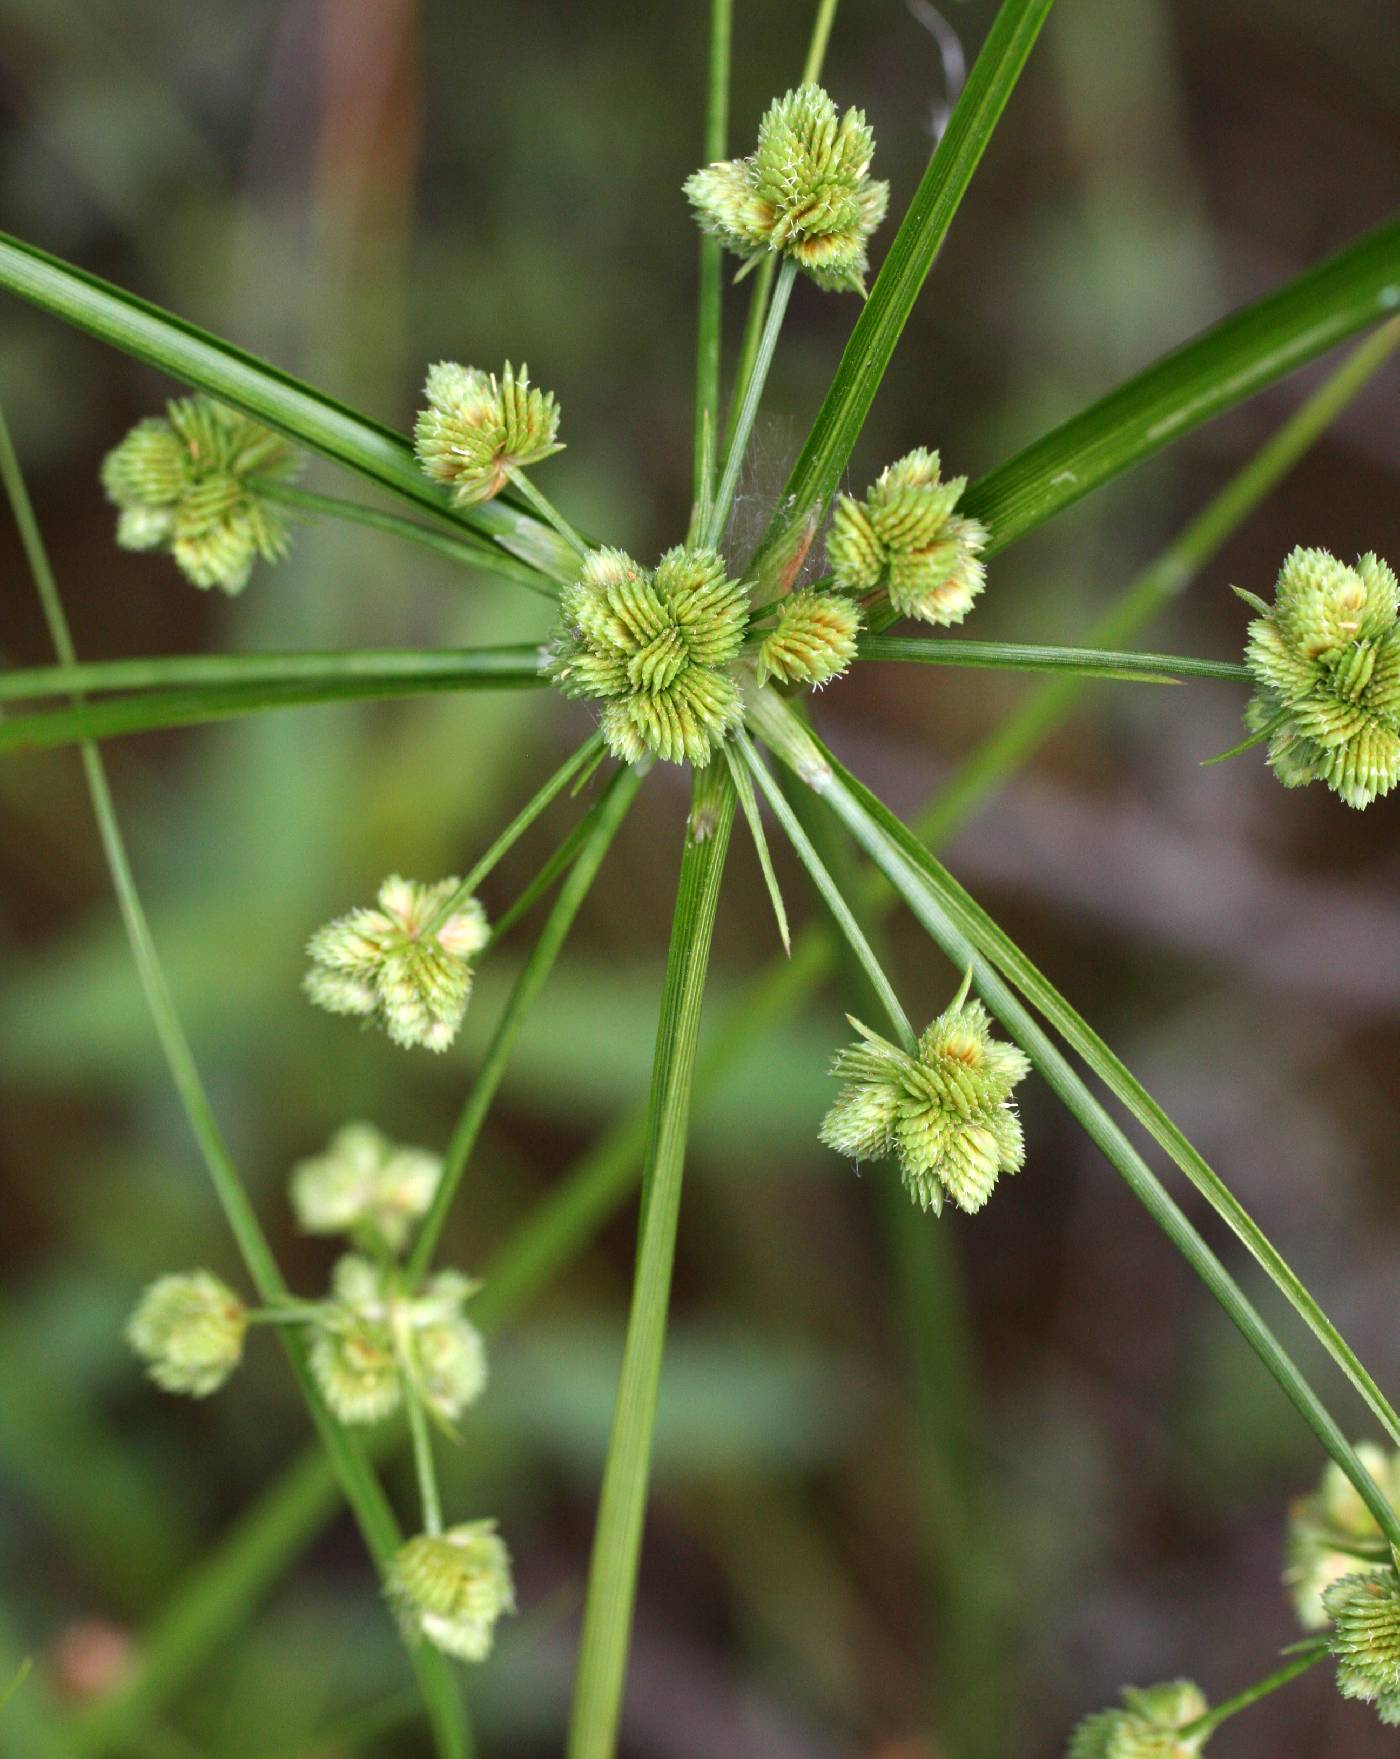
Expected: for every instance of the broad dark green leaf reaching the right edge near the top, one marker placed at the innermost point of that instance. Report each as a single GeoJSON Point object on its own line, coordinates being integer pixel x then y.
{"type": "Point", "coordinates": [1239, 358]}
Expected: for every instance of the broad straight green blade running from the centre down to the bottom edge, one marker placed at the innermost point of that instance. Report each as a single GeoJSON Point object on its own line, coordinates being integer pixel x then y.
{"type": "Point", "coordinates": [622, 1507]}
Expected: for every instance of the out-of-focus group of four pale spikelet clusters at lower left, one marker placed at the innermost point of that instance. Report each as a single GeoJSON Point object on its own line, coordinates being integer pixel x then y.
{"type": "Point", "coordinates": [376, 1343]}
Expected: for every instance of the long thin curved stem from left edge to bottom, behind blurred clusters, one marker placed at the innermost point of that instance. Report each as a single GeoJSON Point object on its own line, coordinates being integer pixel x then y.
{"type": "Point", "coordinates": [361, 1489]}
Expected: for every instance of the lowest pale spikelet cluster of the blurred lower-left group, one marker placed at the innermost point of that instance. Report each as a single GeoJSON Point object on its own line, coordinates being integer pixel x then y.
{"type": "Point", "coordinates": [451, 1589]}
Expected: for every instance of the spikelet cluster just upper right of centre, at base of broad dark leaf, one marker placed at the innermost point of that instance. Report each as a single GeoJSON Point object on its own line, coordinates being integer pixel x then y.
{"type": "Point", "coordinates": [908, 539]}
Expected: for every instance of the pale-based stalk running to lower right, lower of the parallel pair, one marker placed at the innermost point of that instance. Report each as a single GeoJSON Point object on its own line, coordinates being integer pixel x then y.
{"type": "Point", "coordinates": [915, 875]}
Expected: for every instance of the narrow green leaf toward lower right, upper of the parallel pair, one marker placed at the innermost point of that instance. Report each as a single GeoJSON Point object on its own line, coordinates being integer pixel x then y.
{"type": "Point", "coordinates": [998, 947]}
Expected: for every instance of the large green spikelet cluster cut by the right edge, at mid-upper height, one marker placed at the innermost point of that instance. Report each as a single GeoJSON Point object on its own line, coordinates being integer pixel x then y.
{"type": "Point", "coordinates": [1327, 662]}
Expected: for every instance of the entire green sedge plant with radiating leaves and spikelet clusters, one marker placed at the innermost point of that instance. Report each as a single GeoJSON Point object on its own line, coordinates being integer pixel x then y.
{"type": "Point", "coordinates": [706, 659]}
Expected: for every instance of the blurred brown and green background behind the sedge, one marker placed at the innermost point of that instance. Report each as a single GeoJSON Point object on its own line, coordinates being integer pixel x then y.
{"type": "Point", "coordinates": [356, 191]}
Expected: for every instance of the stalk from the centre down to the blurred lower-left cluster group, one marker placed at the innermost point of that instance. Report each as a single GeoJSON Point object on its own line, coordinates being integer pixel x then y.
{"type": "Point", "coordinates": [606, 819]}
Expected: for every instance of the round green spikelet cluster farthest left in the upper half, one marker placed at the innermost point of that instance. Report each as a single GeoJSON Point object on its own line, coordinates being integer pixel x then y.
{"type": "Point", "coordinates": [186, 483]}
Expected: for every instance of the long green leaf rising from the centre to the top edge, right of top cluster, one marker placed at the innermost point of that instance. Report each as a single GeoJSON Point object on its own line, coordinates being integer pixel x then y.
{"type": "Point", "coordinates": [908, 263]}
